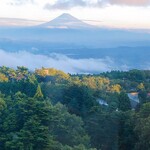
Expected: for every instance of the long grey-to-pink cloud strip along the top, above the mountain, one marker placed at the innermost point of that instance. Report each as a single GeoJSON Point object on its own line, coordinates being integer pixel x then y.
{"type": "Point", "coordinates": [68, 4]}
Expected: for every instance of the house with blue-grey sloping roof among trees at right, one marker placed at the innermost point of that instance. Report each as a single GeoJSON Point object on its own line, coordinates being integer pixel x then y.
{"type": "Point", "coordinates": [134, 99]}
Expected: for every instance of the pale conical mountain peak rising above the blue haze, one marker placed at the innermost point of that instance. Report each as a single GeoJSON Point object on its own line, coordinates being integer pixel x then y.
{"type": "Point", "coordinates": [66, 21]}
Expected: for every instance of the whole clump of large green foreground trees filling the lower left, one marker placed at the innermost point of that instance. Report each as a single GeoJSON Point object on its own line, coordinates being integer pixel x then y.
{"type": "Point", "coordinates": [29, 123]}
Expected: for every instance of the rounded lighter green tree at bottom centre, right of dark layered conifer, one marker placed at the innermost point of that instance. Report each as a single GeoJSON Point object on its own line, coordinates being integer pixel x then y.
{"type": "Point", "coordinates": [67, 128]}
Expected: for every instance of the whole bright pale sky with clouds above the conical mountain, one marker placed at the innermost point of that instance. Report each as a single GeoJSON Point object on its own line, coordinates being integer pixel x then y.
{"type": "Point", "coordinates": [110, 13]}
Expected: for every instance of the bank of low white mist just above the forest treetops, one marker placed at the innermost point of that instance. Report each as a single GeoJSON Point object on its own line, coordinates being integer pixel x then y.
{"type": "Point", "coordinates": [58, 61]}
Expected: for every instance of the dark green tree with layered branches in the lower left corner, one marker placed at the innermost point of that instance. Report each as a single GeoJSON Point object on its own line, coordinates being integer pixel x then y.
{"type": "Point", "coordinates": [27, 124]}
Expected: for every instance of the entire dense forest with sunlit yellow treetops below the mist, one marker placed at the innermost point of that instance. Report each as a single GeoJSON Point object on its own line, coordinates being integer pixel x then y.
{"type": "Point", "coordinates": [50, 110]}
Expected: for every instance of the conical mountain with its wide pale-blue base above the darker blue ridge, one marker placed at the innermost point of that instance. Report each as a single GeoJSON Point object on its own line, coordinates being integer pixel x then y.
{"type": "Point", "coordinates": [66, 31]}
